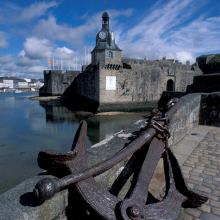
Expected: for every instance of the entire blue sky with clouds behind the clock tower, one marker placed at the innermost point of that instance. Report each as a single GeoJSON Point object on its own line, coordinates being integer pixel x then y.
{"type": "Point", "coordinates": [32, 31]}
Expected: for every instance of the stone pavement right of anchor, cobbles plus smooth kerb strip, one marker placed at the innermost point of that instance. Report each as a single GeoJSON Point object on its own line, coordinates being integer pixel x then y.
{"type": "Point", "coordinates": [199, 156]}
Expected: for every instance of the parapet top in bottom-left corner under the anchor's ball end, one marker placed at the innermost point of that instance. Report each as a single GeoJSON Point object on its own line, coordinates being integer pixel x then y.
{"type": "Point", "coordinates": [18, 204]}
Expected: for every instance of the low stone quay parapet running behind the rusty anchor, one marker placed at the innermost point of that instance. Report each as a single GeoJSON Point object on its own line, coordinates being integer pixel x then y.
{"type": "Point", "coordinates": [17, 204]}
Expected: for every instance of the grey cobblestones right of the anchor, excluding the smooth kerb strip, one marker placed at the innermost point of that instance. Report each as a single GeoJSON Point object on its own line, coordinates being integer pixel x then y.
{"type": "Point", "coordinates": [202, 173]}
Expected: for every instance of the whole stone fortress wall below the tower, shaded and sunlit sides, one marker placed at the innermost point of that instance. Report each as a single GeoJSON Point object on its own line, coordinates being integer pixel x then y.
{"type": "Point", "coordinates": [137, 81]}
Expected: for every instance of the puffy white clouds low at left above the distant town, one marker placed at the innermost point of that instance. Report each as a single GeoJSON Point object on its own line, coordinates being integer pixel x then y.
{"type": "Point", "coordinates": [33, 58]}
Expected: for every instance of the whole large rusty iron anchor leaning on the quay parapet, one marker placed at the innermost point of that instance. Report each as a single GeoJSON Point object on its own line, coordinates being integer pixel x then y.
{"type": "Point", "coordinates": [145, 151]}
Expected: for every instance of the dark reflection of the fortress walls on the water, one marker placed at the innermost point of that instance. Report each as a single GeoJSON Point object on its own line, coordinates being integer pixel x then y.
{"type": "Point", "coordinates": [99, 126]}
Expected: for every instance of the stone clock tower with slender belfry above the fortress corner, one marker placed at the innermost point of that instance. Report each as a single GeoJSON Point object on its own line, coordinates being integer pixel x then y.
{"type": "Point", "coordinates": [106, 52]}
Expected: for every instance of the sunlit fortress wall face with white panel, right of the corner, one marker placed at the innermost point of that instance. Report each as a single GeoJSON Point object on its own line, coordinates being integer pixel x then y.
{"type": "Point", "coordinates": [144, 81]}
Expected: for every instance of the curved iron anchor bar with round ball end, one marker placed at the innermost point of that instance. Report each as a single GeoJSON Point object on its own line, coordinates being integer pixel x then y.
{"type": "Point", "coordinates": [56, 185]}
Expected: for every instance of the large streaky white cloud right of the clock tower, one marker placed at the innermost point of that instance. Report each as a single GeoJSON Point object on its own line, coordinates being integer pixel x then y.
{"type": "Point", "coordinates": [167, 31]}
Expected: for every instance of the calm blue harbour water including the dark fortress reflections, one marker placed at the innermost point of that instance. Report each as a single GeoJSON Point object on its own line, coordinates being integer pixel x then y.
{"type": "Point", "coordinates": [27, 127]}
